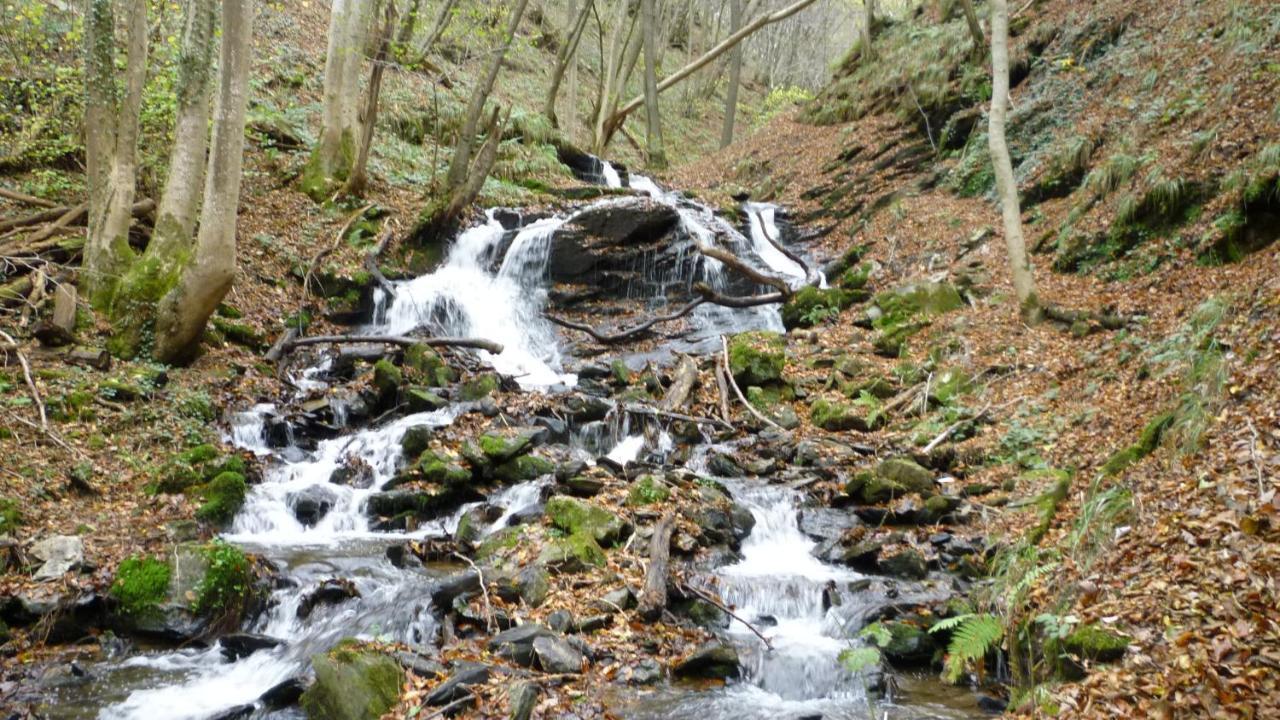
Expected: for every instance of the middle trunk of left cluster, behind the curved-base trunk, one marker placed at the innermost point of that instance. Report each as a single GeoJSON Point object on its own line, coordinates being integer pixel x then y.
{"type": "Point", "coordinates": [180, 203]}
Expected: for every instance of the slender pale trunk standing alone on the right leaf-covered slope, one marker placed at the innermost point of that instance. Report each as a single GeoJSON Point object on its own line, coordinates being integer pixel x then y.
{"type": "Point", "coordinates": [1025, 285]}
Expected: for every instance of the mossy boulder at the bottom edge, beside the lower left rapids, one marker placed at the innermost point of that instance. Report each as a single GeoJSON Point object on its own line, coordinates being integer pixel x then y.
{"type": "Point", "coordinates": [354, 682]}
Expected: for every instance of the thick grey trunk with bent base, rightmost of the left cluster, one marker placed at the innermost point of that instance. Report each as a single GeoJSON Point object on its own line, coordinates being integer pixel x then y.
{"type": "Point", "coordinates": [207, 279]}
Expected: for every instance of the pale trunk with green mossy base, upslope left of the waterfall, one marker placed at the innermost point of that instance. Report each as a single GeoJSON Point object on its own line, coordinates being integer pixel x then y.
{"type": "Point", "coordinates": [336, 152]}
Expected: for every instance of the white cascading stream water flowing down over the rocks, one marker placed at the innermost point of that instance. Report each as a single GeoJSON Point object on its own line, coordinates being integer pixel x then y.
{"type": "Point", "coordinates": [493, 285]}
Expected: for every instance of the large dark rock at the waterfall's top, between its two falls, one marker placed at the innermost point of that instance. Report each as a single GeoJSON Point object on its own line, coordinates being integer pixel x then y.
{"type": "Point", "coordinates": [607, 239]}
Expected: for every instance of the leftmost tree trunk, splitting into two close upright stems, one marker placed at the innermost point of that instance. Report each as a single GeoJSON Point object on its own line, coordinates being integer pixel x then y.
{"type": "Point", "coordinates": [112, 140]}
